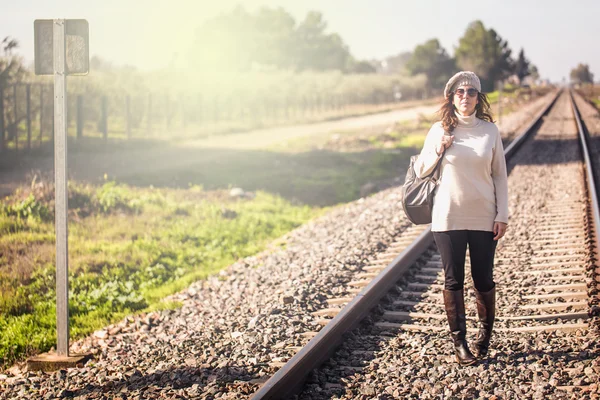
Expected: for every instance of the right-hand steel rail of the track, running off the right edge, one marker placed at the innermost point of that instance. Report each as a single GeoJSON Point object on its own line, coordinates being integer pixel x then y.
{"type": "Point", "coordinates": [584, 139]}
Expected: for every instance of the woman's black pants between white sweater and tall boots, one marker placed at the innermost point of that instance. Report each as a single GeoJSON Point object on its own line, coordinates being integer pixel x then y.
{"type": "Point", "coordinates": [452, 246]}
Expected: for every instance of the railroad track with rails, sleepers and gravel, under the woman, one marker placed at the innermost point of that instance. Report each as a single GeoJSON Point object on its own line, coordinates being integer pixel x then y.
{"type": "Point", "coordinates": [546, 331]}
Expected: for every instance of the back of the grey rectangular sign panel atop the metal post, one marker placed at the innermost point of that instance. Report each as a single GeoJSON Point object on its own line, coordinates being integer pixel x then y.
{"type": "Point", "coordinates": [77, 46]}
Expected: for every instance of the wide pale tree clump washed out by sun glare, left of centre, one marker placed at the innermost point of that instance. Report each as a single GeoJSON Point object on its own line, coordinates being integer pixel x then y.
{"type": "Point", "coordinates": [239, 40]}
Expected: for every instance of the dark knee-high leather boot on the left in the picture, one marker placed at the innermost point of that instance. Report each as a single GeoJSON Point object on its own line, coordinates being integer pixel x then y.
{"type": "Point", "coordinates": [454, 302]}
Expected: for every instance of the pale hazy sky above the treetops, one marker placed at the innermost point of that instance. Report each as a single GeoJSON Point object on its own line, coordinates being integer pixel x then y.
{"type": "Point", "coordinates": [555, 34]}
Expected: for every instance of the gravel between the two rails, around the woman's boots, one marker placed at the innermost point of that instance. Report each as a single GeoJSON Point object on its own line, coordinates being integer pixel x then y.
{"type": "Point", "coordinates": [385, 364]}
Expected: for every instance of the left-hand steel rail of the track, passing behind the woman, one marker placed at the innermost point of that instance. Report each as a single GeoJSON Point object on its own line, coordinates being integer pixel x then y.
{"type": "Point", "coordinates": [289, 378]}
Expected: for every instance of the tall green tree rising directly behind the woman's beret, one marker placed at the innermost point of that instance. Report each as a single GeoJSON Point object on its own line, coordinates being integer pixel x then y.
{"type": "Point", "coordinates": [485, 53]}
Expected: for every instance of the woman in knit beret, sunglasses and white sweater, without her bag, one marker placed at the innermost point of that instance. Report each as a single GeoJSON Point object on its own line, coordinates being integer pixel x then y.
{"type": "Point", "coordinates": [470, 204]}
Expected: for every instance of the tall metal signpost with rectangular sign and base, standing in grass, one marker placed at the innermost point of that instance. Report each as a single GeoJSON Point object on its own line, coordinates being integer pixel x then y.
{"type": "Point", "coordinates": [61, 49]}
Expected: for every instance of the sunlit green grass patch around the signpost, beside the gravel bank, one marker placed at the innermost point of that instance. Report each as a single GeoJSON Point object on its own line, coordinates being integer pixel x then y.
{"type": "Point", "coordinates": [133, 248]}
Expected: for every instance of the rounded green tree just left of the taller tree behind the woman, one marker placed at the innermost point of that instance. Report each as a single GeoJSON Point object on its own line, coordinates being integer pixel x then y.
{"type": "Point", "coordinates": [431, 59]}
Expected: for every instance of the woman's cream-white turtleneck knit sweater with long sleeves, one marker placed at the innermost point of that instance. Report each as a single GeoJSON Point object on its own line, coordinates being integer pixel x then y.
{"type": "Point", "coordinates": [473, 190]}
